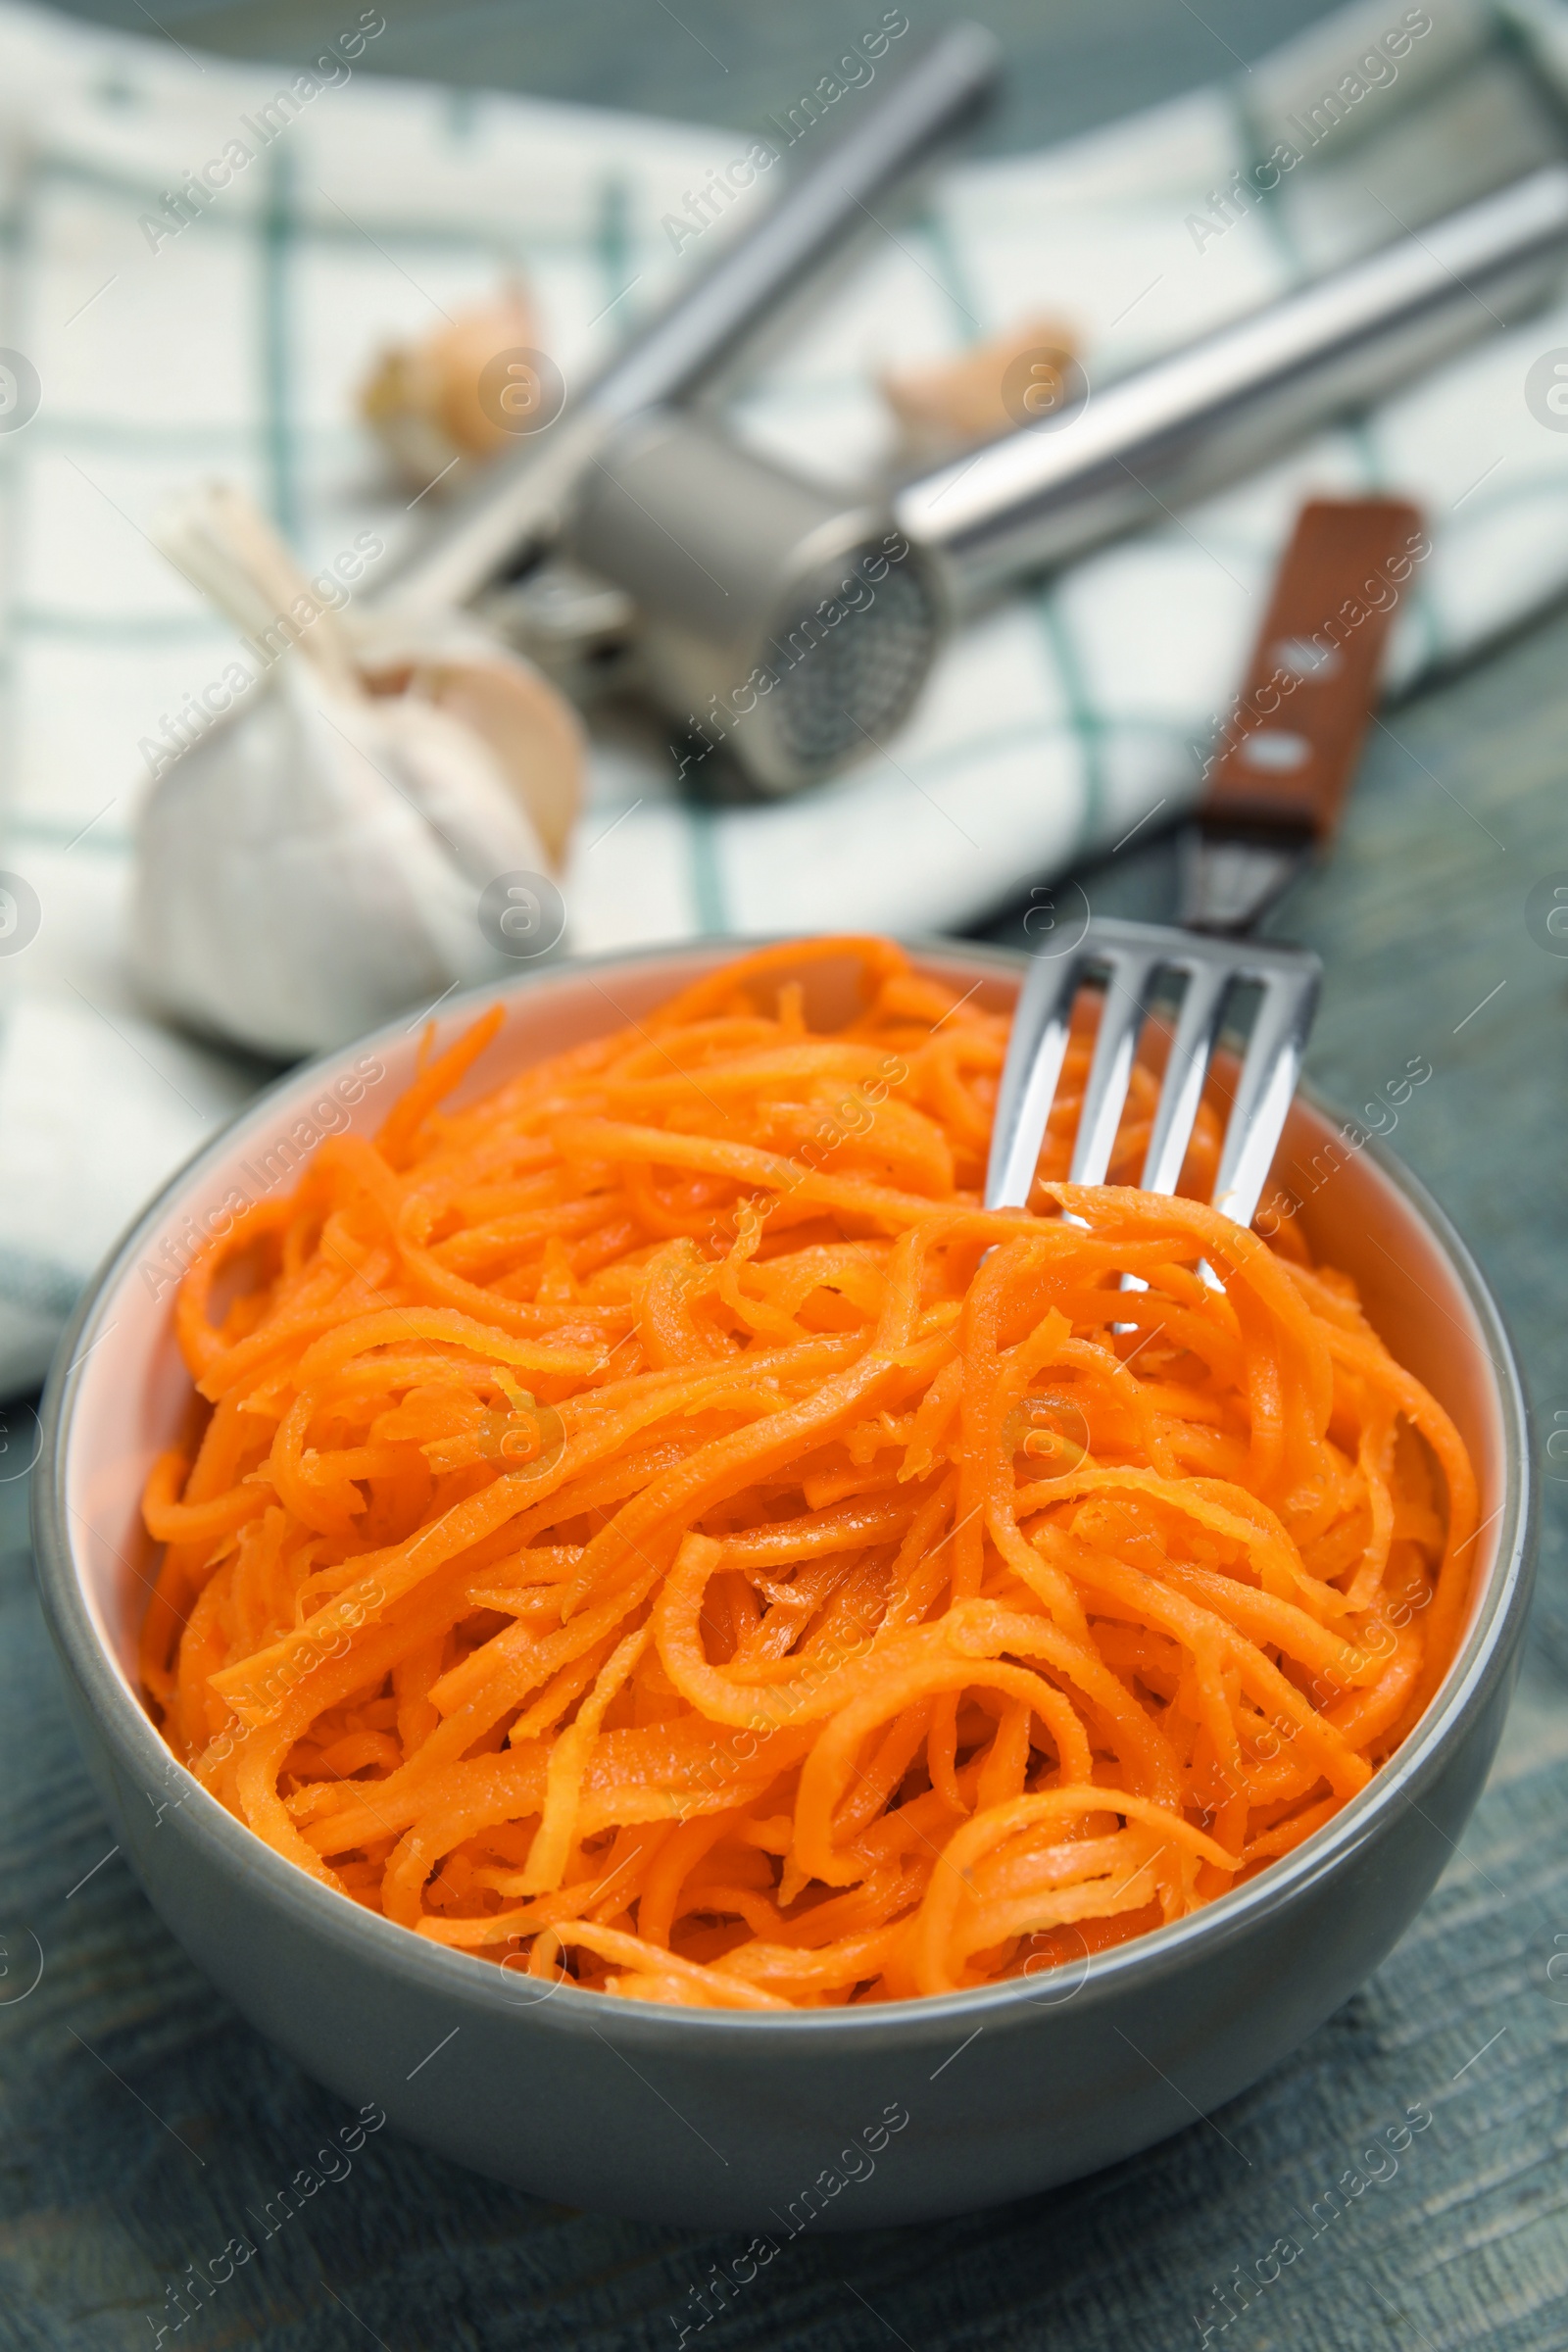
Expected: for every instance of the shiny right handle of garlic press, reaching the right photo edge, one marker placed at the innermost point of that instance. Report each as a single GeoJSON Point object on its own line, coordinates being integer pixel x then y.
{"type": "Point", "coordinates": [1217, 410]}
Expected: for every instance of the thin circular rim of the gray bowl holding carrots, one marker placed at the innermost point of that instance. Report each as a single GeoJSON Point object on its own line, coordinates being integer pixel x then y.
{"type": "Point", "coordinates": [443, 1970]}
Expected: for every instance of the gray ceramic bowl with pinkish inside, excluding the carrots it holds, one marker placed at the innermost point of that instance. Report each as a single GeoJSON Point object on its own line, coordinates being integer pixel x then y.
{"type": "Point", "coordinates": [756, 2120]}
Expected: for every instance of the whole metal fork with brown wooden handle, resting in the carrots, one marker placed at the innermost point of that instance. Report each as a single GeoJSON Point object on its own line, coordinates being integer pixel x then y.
{"type": "Point", "coordinates": [1275, 791]}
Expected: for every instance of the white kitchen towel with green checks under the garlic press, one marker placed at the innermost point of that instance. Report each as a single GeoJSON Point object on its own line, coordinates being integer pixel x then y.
{"type": "Point", "coordinates": [359, 211]}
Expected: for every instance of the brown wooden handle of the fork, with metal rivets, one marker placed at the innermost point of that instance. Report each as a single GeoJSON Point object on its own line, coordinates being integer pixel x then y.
{"type": "Point", "coordinates": [1294, 737]}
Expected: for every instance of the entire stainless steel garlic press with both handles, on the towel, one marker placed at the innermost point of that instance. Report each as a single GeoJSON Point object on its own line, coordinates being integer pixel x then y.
{"type": "Point", "coordinates": [793, 624]}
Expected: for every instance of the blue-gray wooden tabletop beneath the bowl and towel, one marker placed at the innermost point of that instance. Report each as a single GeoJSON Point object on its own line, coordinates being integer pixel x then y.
{"type": "Point", "coordinates": [145, 2127]}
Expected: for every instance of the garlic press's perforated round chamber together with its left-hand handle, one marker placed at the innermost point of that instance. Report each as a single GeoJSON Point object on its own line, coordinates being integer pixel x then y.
{"type": "Point", "coordinates": [749, 592]}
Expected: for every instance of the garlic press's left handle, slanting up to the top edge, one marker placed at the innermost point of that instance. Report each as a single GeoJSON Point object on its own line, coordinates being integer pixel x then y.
{"type": "Point", "coordinates": [521, 505]}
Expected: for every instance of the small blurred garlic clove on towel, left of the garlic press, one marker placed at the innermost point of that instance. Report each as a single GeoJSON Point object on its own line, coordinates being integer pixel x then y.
{"type": "Point", "coordinates": [424, 399]}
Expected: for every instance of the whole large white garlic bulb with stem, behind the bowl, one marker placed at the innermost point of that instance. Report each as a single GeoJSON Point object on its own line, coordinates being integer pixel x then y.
{"type": "Point", "coordinates": [314, 864]}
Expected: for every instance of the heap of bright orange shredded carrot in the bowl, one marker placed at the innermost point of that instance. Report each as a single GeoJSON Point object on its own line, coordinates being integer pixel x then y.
{"type": "Point", "coordinates": [655, 1530]}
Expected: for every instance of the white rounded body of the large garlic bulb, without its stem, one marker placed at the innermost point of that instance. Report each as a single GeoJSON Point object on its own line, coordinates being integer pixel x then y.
{"type": "Point", "coordinates": [314, 867]}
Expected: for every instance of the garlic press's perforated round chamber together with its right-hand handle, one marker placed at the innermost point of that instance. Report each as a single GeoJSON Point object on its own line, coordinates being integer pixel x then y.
{"type": "Point", "coordinates": [763, 613]}
